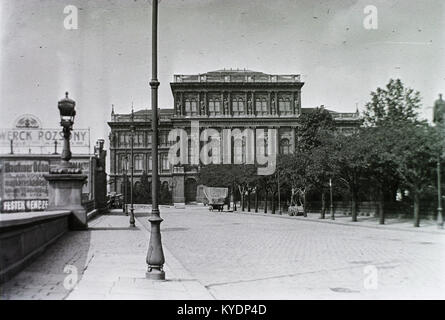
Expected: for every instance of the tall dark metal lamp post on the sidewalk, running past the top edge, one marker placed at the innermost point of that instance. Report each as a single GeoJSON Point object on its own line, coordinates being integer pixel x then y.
{"type": "Point", "coordinates": [155, 255]}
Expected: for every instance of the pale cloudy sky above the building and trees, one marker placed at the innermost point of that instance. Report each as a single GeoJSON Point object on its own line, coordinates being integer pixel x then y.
{"type": "Point", "coordinates": [107, 59]}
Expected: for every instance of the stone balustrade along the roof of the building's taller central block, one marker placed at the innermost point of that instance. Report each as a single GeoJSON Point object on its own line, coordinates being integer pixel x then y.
{"type": "Point", "coordinates": [237, 78]}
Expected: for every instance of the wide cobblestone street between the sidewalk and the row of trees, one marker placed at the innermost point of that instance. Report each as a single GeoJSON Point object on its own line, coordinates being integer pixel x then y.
{"type": "Point", "coordinates": [239, 256]}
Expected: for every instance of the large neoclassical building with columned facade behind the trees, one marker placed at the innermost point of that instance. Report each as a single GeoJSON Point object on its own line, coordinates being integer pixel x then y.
{"type": "Point", "coordinates": [223, 99]}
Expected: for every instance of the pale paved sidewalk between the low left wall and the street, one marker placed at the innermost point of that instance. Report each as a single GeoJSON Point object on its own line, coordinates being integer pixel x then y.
{"type": "Point", "coordinates": [110, 266]}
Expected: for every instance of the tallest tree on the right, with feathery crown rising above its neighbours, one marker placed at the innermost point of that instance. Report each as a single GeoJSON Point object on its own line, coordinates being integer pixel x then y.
{"type": "Point", "coordinates": [389, 111]}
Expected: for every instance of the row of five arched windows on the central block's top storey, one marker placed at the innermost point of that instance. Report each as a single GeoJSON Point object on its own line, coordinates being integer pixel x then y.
{"type": "Point", "coordinates": [238, 107]}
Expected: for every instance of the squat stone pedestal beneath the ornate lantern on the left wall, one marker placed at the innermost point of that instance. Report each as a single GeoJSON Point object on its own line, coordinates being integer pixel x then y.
{"type": "Point", "coordinates": [65, 193]}
